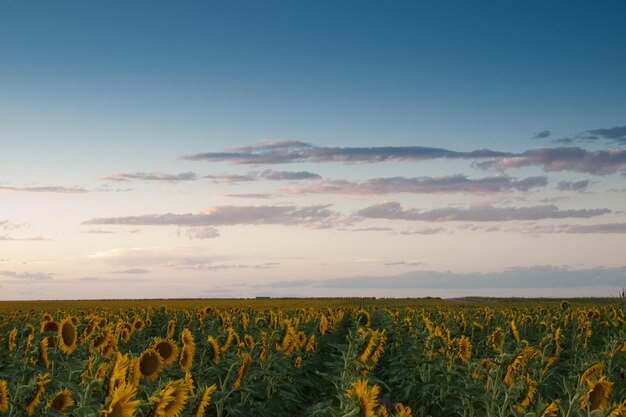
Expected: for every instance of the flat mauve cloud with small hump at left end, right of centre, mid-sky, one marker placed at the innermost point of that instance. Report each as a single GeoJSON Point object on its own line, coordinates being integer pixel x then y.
{"type": "Point", "coordinates": [392, 210]}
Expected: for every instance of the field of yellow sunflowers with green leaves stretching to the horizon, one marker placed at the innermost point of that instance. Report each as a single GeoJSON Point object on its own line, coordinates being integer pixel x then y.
{"type": "Point", "coordinates": [319, 357]}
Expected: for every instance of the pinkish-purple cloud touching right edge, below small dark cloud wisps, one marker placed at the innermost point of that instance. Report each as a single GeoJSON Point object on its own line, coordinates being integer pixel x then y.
{"type": "Point", "coordinates": [576, 159]}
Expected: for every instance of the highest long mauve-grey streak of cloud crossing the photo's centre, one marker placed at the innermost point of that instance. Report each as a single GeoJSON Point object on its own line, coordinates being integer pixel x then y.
{"type": "Point", "coordinates": [290, 151]}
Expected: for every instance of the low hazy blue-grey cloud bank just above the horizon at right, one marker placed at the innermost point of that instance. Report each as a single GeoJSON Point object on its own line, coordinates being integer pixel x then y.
{"type": "Point", "coordinates": [521, 277]}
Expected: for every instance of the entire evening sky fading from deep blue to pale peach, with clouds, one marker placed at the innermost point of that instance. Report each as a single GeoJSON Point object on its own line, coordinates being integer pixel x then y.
{"type": "Point", "coordinates": [157, 149]}
